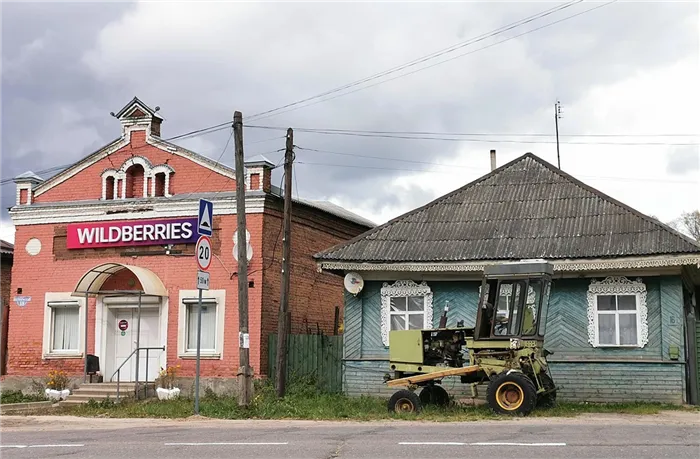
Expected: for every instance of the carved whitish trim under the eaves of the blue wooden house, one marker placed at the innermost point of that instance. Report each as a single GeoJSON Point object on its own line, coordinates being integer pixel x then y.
{"type": "Point", "coordinates": [559, 265]}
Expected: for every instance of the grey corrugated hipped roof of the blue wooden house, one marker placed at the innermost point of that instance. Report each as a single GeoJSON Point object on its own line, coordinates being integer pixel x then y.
{"type": "Point", "coordinates": [524, 209]}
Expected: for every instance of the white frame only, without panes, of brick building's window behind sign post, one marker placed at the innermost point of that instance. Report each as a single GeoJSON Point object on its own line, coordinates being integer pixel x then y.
{"type": "Point", "coordinates": [189, 297]}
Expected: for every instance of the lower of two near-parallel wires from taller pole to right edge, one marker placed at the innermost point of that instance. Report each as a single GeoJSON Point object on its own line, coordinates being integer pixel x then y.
{"type": "Point", "coordinates": [462, 139]}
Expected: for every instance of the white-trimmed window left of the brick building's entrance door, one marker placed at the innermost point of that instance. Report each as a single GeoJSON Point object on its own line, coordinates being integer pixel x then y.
{"type": "Point", "coordinates": [64, 326]}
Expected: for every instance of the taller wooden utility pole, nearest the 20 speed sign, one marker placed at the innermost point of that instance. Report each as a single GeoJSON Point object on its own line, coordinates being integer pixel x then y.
{"type": "Point", "coordinates": [245, 372]}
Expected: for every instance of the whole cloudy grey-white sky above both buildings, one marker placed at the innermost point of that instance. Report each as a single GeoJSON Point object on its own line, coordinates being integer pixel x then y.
{"type": "Point", "coordinates": [626, 74]}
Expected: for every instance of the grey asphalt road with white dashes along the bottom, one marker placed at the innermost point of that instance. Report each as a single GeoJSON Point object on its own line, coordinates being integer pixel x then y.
{"type": "Point", "coordinates": [323, 440]}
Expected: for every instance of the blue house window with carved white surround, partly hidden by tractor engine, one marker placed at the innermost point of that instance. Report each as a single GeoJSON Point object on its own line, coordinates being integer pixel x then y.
{"type": "Point", "coordinates": [405, 306]}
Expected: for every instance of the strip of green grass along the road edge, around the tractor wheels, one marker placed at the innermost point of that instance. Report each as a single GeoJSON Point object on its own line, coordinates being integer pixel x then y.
{"type": "Point", "coordinates": [305, 402]}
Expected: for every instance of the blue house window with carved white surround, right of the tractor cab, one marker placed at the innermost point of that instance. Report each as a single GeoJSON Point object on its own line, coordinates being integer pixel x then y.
{"type": "Point", "coordinates": [617, 313]}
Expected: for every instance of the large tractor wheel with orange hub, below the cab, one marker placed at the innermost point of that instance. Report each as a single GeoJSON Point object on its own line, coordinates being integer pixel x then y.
{"type": "Point", "coordinates": [511, 393]}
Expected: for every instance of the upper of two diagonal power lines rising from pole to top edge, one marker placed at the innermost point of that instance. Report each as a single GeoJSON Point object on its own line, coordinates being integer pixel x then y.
{"type": "Point", "coordinates": [424, 58]}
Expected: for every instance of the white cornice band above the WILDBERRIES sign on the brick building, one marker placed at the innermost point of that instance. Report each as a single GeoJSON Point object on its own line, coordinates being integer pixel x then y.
{"type": "Point", "coordinates": [135, 210]}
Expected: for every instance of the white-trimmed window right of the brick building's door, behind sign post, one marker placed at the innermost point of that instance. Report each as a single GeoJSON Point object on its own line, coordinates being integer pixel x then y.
{"type": "Point", "coordinates": [213, 313]}
